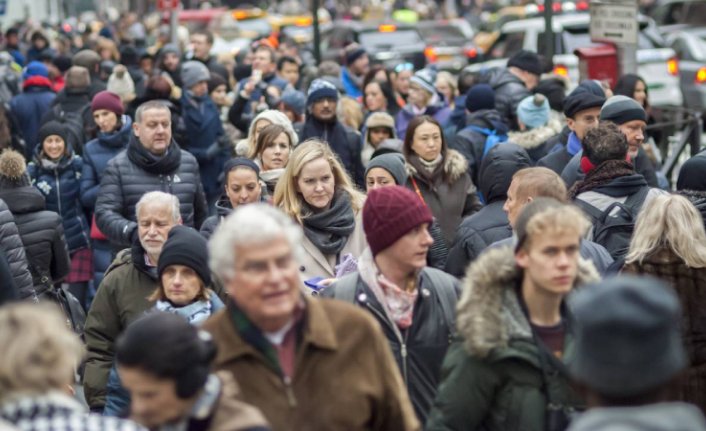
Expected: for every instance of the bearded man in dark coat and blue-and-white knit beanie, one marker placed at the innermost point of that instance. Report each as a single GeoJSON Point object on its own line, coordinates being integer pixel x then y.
{"type": "Point", "coordinates": [322, 123]}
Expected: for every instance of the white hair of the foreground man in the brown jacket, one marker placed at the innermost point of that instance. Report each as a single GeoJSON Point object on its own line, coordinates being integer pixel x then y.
{"type": "Point", "coordinates": [251, 225]}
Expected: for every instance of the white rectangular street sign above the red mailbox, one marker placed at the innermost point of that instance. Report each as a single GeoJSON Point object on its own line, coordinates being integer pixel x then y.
{"type": "Point", "coordinates": [614, 22]}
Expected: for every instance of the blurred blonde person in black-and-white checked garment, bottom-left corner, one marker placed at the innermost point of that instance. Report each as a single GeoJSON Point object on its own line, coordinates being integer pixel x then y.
{"type": "Point", "coordinates": [39, 361]}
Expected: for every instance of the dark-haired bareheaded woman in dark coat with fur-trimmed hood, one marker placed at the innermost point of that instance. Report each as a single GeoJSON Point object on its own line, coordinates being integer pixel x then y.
{"type": "Point", "coordinates": [439, 175]}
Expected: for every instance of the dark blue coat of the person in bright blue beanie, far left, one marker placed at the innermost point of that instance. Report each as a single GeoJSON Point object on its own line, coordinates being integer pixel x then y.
{"type": "Point", "coordinates": [28, 108]}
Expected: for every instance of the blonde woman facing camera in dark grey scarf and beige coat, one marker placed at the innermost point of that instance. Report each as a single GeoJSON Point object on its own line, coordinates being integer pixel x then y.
{"type": "Point", "coordinates": [316, 192]}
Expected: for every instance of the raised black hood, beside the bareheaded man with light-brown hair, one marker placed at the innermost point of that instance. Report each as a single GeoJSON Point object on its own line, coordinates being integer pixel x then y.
{"type": "Point", "coordinates": [497, 169]}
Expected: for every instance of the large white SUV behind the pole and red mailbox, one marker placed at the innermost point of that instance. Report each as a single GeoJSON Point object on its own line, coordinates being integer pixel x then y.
{"type": "Point", "coordinates": [657, 63]}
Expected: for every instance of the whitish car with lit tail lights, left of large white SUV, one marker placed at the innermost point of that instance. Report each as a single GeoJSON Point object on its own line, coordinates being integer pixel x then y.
{"type": "Point", "coordinates": [449, 43]}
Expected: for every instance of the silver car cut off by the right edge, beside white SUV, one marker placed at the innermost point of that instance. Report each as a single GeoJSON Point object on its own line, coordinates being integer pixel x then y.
{"type": "Point", "coordinates": [690, 46]}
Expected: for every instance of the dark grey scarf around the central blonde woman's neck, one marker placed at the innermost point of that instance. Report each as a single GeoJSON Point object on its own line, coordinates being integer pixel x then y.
{"type": "Point", "coordinates": [329, 230]}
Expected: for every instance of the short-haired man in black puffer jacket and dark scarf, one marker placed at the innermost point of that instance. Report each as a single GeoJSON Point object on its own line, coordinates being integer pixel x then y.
{"type": "Point", "coordinates": [151, 162]}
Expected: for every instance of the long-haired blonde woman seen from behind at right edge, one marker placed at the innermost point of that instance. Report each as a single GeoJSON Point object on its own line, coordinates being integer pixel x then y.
{"type": "Point", "coordinates": [669, 242]}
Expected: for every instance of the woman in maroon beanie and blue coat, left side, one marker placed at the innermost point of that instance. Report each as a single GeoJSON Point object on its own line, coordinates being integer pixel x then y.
{"type": "Point", "coordinates": [114, 130]}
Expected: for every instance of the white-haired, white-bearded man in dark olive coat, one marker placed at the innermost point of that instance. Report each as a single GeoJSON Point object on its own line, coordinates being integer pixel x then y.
{"type": "Point", "coordinates": [122, 295]}
